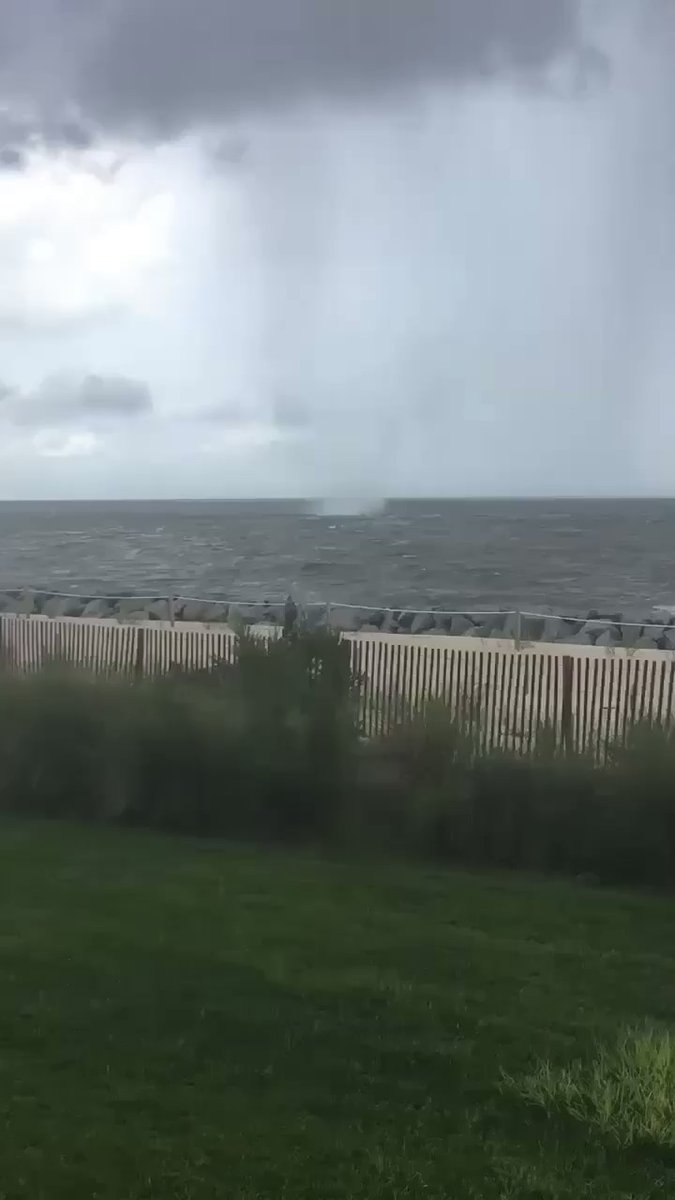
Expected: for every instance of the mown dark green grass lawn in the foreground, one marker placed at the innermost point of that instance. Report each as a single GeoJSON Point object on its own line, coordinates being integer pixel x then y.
{"type": "Point", "coordinates": [183, 1021]}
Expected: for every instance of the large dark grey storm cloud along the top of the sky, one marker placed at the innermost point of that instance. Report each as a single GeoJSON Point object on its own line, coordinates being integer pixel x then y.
{"type": "Point", "coordinates": [162, 65]}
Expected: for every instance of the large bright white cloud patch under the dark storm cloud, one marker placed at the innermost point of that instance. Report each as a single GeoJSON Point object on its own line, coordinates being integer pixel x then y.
{"type": "Point", "coordinates": [76, 247]}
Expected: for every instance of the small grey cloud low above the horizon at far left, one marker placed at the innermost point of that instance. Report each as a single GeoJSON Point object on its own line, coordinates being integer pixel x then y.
{"type": "Point", "coordinates": [64, 400]}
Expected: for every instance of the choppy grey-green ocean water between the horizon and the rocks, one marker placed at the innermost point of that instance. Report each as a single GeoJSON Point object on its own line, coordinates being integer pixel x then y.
{"type": "Point", "coordinates": [566, 556]}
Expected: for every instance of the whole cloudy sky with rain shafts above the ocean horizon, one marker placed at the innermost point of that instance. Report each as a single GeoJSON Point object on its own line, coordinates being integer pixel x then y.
{"type": "Point", "coordinates": [334, 249]}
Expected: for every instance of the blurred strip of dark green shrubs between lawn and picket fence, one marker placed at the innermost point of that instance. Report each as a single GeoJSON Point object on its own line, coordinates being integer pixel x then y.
{"type": "Point", "coordinates": [270, 748]}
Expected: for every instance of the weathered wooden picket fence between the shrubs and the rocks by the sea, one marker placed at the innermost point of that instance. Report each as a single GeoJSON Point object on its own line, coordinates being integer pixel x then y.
{"type": "Point", "coordinates": [505, 695]}
